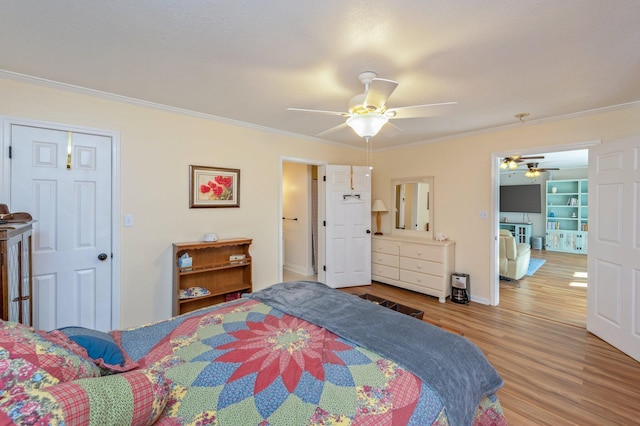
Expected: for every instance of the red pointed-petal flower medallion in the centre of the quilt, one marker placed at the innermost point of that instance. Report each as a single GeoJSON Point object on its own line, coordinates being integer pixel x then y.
{"type": "Point", "coordinates": [282, 347]}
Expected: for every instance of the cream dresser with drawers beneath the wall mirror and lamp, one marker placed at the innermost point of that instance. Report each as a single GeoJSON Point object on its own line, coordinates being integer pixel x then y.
{"type": "Point", "coordinates": [416, 264]}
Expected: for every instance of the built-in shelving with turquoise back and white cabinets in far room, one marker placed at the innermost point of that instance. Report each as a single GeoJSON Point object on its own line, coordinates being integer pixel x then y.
{"type": "Point", "coordinates": [567, 215]}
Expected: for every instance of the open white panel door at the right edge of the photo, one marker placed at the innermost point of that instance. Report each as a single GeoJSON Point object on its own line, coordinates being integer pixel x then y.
{"type": "Point", "coordinates": [613, 297]}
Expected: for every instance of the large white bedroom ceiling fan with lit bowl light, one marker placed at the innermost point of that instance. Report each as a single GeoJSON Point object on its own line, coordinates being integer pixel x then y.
{"type": "Point", "coordinates": [368, 112]}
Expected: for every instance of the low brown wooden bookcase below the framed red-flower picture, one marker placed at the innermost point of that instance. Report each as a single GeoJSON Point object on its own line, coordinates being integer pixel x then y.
{"type": "Point", "coordinates": [215, 272]}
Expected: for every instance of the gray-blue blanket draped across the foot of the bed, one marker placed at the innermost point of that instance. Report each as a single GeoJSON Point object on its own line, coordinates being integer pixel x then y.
{"type": "Point", "coordinates": [450, 364]}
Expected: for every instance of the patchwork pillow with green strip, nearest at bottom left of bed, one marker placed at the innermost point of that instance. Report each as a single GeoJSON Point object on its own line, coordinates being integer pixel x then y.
{"type": "Point", "coordinates": [135, 398]}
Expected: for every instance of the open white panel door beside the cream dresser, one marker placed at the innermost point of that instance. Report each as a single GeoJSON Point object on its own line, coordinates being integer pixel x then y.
{"type": "Point", "coordinates": [348, 226]}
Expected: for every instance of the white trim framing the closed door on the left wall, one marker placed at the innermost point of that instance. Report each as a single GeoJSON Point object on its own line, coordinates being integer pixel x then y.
{"type": "Point", "coordinates": [5, 190]}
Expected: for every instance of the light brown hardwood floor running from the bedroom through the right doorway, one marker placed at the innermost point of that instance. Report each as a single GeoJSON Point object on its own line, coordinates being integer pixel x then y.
{"type": "Point", "coordinates": [555, 372]}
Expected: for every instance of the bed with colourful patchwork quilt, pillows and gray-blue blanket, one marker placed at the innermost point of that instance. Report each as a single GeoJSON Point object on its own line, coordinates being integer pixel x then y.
{"type": "Point", "coordinates": [296, 353]}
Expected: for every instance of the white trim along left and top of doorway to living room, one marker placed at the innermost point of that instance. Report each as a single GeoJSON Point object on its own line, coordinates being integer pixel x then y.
{"type": "Point", "coordinates": [494, 214]}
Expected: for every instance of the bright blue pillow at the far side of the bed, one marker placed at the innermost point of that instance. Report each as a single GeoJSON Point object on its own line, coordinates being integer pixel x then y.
{"type": "Point", "coordinates": [100, 347]}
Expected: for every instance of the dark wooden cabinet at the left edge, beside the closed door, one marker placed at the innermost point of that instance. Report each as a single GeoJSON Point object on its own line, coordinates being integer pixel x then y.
{"type": "Point", "coordinates": [15, 271]}
